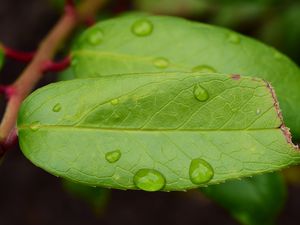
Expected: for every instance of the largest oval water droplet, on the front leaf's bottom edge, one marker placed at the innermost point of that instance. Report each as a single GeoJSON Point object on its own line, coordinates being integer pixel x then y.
{"type": "Point", "coordinates": [149, 180]}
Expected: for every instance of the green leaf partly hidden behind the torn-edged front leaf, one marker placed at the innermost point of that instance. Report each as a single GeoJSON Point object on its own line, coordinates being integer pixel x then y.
{"type": "Point", "coordinates": [143, 44]}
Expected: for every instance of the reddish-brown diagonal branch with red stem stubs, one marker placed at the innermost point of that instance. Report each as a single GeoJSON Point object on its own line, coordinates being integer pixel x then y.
{"type": "Point", "coordinates": [44, 55]}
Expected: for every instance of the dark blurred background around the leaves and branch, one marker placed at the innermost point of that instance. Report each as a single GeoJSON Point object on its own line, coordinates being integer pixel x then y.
{"type": "Point", "coordinates": [30, 196]}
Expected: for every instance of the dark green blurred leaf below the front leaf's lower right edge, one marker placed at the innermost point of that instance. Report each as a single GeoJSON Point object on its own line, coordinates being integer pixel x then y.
{"type": "Point", "coordinates": [252, 201]}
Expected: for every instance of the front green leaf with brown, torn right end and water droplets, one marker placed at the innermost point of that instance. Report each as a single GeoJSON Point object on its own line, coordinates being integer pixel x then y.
{"type": "Point", "coordinates": [163, 131]}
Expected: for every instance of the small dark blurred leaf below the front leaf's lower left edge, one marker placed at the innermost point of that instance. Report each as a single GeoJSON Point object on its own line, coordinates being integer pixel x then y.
{"type": "Point", "coordinates": [96, 197]}
